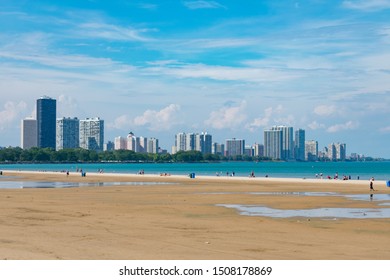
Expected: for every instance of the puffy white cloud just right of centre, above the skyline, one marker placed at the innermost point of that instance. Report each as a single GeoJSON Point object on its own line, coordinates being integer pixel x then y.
{"type": "Point", "coordinates": [227, 117]}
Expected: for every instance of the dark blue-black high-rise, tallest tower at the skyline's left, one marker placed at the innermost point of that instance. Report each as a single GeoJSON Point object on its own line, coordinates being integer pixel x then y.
{"type": "Point", "coordinates": [46, 122]}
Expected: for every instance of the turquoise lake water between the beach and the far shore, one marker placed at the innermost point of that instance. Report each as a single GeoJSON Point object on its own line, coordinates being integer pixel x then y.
{"type": "Point", "coordinates": [362, 170]}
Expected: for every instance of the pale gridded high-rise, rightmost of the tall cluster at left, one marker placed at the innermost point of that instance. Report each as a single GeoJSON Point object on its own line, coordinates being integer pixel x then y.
{"type": "Point", "coordinates": [92, 134]}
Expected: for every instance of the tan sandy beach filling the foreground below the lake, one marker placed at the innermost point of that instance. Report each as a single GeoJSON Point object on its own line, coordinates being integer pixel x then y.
{"type": "Point", "coordinates": [181, 219]}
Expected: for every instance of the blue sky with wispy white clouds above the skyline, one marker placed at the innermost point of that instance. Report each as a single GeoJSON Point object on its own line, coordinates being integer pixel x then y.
{"type": "Point", "coordinates": [229, 68]}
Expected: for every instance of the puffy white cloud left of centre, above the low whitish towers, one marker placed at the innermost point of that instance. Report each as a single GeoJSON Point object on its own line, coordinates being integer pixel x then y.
{"type": "Point", "coordinates": [159, 120]}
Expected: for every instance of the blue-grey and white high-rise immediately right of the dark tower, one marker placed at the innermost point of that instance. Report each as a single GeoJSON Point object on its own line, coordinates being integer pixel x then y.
{"type": "Point", "coordinates": [67, 133]}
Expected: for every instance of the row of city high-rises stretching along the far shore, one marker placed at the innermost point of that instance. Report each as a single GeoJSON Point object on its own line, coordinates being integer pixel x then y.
{"type": "Point", "coordinates": [280, 142]}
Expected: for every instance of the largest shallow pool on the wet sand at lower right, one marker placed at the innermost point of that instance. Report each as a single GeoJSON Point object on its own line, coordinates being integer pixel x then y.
{"type": "Point", "coordinates": [322, 213]}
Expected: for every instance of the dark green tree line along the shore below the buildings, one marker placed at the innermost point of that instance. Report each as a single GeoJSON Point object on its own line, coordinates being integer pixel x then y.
{"type": "Point", "coordinates": [47, 155]}
